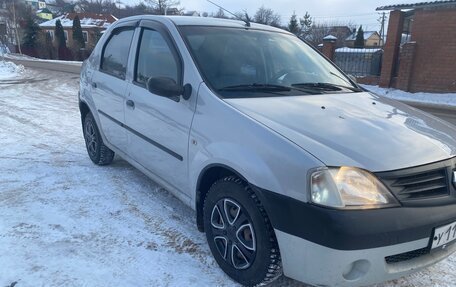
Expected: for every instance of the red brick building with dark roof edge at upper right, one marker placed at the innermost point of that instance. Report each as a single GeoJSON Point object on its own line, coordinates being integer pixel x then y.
{"type": "Point", "coordinates": [420, 49]}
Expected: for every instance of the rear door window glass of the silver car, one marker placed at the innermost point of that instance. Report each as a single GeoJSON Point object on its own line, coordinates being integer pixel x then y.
{"type": "Point", "coordinates": [115, 53]}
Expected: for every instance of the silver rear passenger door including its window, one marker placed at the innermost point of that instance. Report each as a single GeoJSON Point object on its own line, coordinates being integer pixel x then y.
{"type": "Point", "coordinates": [109, 85]}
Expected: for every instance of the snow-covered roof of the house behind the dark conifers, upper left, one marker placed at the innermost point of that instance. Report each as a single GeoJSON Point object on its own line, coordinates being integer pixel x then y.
{"type": "Point", "coordinates": [88, 20]}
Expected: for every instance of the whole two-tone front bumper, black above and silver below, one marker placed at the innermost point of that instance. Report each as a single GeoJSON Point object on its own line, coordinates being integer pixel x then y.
{"type": "Point", "coordinates": [327, 247]}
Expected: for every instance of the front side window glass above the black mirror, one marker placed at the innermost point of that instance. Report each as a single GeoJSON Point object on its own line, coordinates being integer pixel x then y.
{"type": "Point", "coordinates": [155, 58]}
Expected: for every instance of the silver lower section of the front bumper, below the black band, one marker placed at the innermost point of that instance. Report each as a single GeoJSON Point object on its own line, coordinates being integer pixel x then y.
{"type": "Point", "coordinates": [322, 266]}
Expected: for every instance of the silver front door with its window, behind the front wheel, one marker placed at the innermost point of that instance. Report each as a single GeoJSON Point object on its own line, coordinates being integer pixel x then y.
{"type": "Point", "coordinates": [158, 133]}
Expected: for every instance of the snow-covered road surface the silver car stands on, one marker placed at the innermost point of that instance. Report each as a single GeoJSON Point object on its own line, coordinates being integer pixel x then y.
{"type": "Point", "coordinates": [66, 222]}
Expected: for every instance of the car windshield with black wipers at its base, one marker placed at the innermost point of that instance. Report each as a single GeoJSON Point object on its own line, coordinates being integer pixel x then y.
{"type": "Point", "coordinates": [247, 63]}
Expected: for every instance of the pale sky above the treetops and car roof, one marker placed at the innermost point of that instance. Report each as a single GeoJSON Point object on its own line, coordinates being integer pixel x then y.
{"type": "Point", "coordinates": [357, 12]}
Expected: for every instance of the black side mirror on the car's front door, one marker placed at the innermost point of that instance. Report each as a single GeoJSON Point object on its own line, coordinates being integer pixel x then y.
{"type": "Point", "coordinates": [168, 88]}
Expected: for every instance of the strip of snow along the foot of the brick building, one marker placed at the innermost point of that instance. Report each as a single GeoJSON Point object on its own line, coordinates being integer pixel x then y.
{"type": "Point", "coordinates": [448, 99]}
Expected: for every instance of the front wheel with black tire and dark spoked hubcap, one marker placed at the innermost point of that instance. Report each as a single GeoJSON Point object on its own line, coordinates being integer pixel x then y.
{"type": "Point", "coordinates": [241, 227]}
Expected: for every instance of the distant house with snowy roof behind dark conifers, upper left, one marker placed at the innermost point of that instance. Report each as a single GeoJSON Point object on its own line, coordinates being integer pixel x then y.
{"type": "Point", "coordinates": [92, 26]}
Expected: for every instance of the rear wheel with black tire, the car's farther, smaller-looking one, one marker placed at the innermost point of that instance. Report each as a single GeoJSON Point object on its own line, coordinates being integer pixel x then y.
{"type": "Point", "coordinates": [98, 152]}
